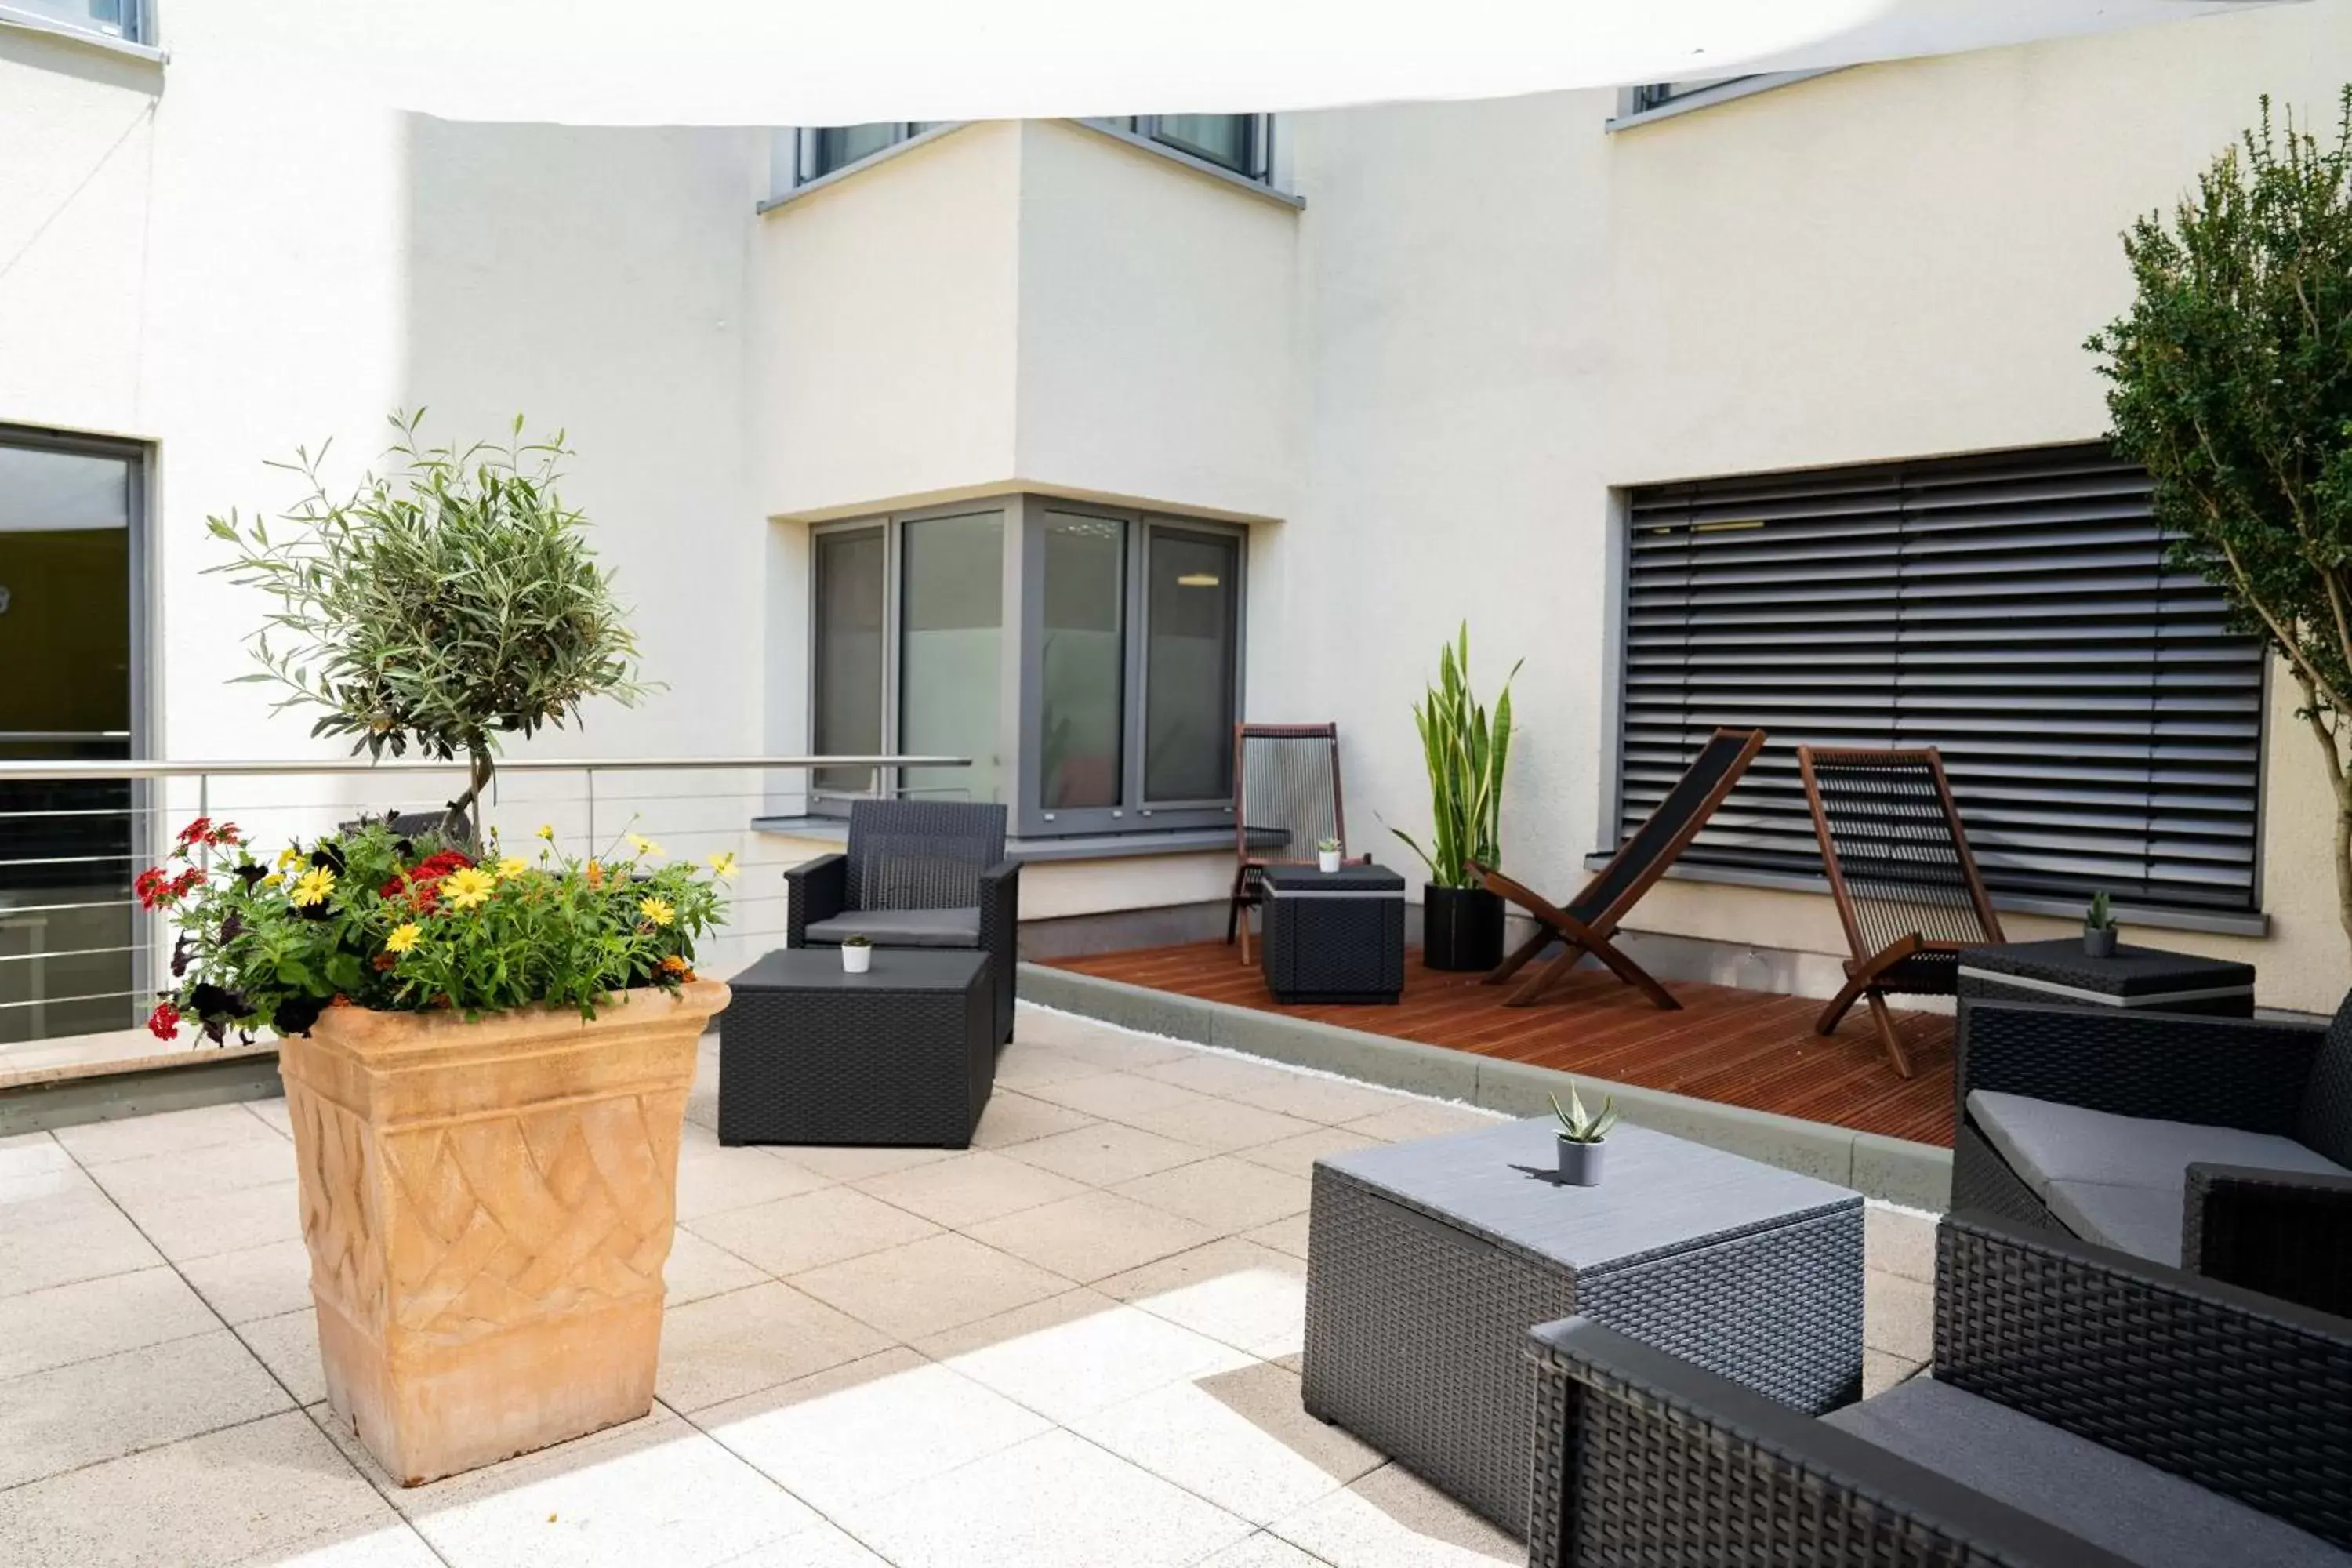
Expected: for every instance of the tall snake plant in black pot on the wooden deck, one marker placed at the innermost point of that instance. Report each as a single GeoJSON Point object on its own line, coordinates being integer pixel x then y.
{"type": "Point", "coordinates": [1462, 923]}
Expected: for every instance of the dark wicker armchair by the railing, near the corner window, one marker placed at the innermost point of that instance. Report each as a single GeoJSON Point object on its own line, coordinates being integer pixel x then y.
{"type": "Point", "coordinates": [916, 876]}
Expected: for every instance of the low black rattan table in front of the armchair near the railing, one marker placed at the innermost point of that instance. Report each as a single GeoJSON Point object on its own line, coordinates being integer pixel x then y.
{"type": "Point", "coordinates": [902, 1054]}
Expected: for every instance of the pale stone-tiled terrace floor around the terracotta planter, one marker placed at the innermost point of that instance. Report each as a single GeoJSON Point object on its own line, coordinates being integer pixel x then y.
{"type": "Point", "coordinates": [1069, 1348]}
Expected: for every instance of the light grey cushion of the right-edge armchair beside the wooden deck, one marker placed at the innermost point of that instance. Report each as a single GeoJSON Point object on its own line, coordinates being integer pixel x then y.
{"type": "Point", "coordinates": [2066, 1144]}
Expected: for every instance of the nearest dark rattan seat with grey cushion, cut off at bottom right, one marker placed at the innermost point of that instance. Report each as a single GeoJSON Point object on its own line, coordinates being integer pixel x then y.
{"type": "Point", "coordinates": [2085, 1409]}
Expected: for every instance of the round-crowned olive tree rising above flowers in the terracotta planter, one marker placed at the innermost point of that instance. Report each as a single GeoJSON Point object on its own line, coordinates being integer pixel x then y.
{"type": "Point", "coordinates": [443, 603]}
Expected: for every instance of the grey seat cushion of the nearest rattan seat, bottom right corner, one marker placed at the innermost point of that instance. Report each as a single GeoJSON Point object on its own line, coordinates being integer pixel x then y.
{"type": "Point", "coordinates": [2071, 1482]}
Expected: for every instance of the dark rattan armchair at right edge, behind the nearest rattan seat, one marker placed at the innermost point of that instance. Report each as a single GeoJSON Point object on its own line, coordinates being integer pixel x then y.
{"type": "Point", "coordinates": [2221, 1146]}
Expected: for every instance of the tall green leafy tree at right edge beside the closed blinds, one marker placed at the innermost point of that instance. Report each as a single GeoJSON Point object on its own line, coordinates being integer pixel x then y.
{"type": "Point", "coordinates": [2233, 387]}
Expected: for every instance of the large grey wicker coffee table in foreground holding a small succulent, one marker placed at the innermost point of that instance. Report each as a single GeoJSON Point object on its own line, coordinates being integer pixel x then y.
{"type": "Point", "coordinates": [1431, 1261]}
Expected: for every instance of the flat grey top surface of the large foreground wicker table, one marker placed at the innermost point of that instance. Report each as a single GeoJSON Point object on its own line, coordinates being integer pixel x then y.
{"type": "Point", "coordinates": [1657, 1195]}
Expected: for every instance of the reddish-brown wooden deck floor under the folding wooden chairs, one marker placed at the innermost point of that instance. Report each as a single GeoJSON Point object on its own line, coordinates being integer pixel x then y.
{"type": "Point", "coordinates": [1725, 1045]}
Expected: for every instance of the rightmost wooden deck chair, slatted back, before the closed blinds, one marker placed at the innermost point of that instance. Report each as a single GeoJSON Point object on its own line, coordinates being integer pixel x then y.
{"type": "Point", "coordinates": [1902, 873]}
